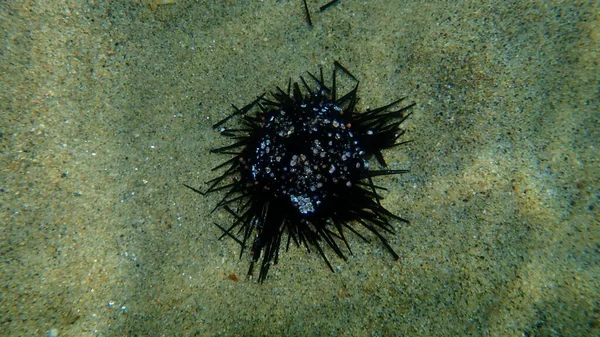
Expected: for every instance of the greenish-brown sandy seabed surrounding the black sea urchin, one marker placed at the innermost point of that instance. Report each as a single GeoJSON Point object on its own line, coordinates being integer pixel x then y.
{"type": "Point", "coordinates": [107, 110]}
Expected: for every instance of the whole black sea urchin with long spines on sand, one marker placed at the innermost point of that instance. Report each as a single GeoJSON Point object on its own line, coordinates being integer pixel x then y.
{"type": "Point", "coordinates": [300, 166]}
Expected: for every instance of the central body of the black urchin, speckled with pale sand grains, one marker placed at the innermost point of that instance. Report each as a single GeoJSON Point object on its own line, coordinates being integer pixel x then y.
{"type": "Point", "coordinates": [306, 150]}
